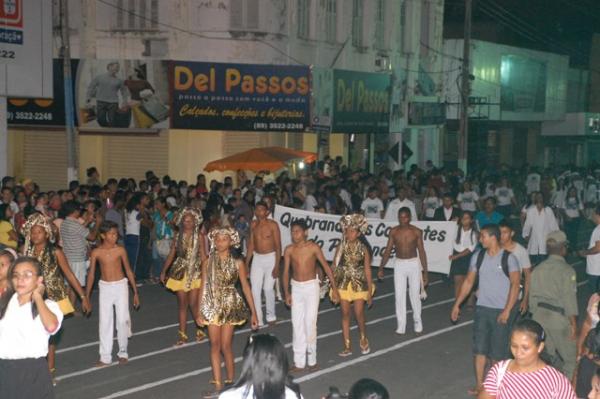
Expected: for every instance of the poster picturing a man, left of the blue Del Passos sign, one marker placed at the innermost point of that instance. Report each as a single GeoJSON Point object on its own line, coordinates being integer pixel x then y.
{"type": "Point", "coordinates": [121, 94]}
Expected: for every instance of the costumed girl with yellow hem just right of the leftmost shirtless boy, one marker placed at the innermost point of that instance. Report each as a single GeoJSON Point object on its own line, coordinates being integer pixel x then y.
{"type": "Point", "coordinates": [183, 265]}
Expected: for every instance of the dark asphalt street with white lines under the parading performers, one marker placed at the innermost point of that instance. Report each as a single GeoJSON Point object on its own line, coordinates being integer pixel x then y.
{"type": "Point", "coordinates": [435, 364]}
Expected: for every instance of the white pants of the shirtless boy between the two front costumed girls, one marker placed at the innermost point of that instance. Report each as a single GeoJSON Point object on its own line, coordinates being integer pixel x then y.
{"type": "Point", "coordinates": [305, 307]}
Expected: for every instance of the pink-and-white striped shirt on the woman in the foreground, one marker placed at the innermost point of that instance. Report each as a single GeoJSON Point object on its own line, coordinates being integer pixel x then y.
{"type": "Point", "coordinates": [545, 383]}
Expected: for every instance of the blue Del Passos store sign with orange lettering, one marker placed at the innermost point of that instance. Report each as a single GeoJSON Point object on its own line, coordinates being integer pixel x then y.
{"type": "Point", "coordinates": [214, 96]}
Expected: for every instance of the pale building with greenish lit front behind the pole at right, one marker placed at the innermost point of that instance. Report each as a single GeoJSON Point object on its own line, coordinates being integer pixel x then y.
{"type": "Point", "coordinates": [514, 91]}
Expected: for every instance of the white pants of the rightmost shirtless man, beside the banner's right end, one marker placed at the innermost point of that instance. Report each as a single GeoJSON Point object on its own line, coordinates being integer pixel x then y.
{"type": "Point", "coordinates": [407, 272]}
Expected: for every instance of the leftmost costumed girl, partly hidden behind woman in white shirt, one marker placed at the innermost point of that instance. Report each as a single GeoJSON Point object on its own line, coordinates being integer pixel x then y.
{"type": "Point", "coordinates": [38, 244]}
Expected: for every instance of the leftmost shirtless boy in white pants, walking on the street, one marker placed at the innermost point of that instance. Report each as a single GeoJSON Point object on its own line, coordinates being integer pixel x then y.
{"type": "Point", "coordinates": [114, 265]}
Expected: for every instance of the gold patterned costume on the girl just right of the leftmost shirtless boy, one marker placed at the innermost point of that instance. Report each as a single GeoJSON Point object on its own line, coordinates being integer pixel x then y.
{"type": "Point", "coordinates": [187, 263]}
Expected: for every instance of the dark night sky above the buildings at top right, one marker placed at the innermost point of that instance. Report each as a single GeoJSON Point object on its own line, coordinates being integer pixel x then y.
{"type": "Point", "coordinates": [558, 26]}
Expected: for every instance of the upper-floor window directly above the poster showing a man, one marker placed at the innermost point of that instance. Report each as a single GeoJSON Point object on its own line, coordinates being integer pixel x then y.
{"type": "Point", "coordinates": [137, 15]}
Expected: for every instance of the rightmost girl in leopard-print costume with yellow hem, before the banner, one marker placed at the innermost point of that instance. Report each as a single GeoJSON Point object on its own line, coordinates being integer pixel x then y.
{"type": "Point", "coordinates": [352, 274]}
